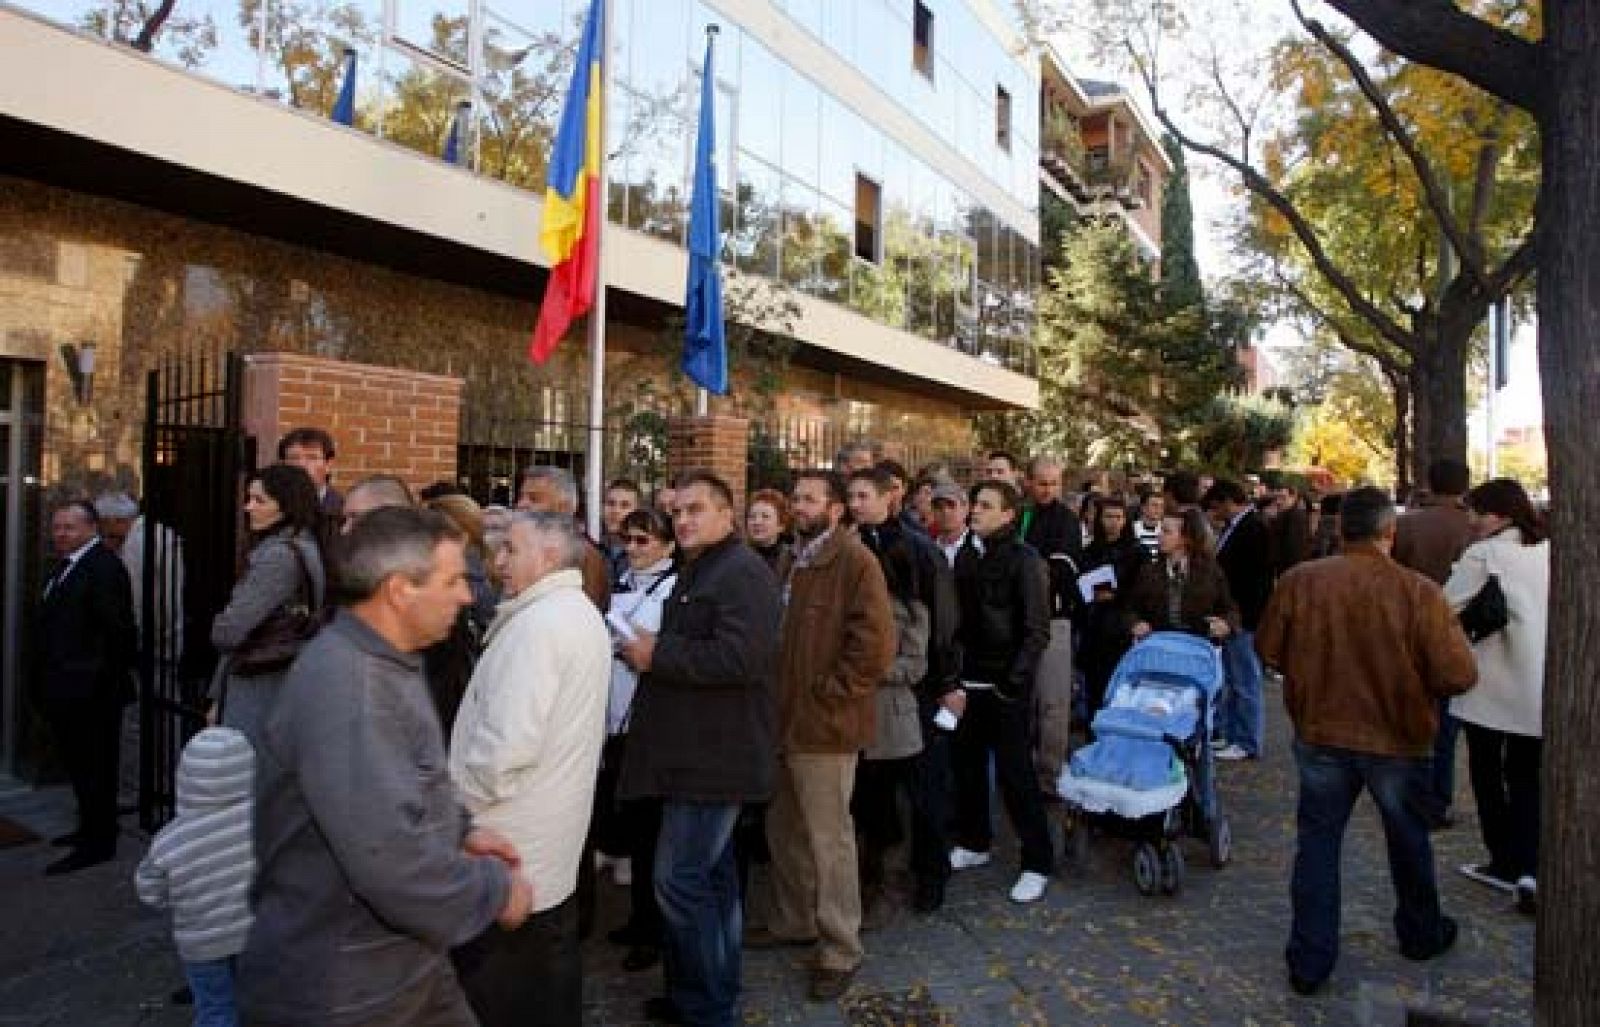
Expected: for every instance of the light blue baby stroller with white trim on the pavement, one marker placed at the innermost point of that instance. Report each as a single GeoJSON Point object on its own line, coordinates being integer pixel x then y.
{"type": "Point", "coordinates": [1150, 772]}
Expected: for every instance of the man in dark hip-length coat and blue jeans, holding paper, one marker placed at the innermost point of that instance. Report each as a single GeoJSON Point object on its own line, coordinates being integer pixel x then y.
{"type": "Point", "coordinates": [703, 740]}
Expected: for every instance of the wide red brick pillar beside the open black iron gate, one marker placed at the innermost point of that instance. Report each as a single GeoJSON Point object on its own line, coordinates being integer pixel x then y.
{"type": "Point", "coordinates": [382, 420]}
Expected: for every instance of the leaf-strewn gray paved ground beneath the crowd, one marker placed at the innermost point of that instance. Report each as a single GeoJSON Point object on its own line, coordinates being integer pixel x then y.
{"type": "Point", "coordinates": [81, 953]}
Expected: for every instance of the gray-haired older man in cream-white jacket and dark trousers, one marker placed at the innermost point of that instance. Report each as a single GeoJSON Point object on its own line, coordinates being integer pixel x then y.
{"type": "Point", "coordinates": [524, 756]}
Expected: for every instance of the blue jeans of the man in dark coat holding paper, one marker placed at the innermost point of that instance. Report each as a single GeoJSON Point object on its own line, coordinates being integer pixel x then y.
{"type": "Point", "coordinates": [698, 890]}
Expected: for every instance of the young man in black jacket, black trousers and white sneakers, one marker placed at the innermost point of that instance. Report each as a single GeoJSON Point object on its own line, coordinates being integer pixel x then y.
{"type": "Point", "coordinates": [1004, 593]}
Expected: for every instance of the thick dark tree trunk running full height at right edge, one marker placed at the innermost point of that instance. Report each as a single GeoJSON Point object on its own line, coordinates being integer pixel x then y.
{"type": "Point", "coordinates": [1569, 975]}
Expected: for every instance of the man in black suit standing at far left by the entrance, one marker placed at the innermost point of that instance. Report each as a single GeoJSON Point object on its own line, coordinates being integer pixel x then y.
{"type": "Point", "coordinates": [87, 661]}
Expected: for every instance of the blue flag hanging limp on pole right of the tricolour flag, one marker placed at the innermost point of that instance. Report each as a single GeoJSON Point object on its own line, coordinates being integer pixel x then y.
{"type": "Point", "coordinates": [705, 335]}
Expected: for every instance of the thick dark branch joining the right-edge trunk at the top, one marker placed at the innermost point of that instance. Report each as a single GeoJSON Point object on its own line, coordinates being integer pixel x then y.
{"type": "Point", "coordinates": [1441, 34]}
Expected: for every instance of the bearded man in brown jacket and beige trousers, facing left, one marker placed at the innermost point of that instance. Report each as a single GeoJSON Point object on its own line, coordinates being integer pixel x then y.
{"type": "Point", "coordinates": [838, 647]}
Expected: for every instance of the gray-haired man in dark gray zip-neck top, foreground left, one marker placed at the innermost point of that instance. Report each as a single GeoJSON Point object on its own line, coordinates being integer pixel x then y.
{"type": "Point", "coordinates": [369, 874]}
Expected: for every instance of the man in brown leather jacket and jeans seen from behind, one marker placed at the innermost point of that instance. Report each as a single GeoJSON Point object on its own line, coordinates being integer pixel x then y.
{"type": "Point", "coordinates": [1366, 647]}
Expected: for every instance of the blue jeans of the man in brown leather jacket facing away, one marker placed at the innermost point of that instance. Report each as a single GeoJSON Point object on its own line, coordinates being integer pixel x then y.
{"type": "Point", "coordinates": [1330, 781]}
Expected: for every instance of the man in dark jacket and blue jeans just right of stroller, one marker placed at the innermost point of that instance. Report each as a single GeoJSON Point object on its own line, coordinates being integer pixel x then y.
{"type": "Point", "coordinates": [1246, 554]}
